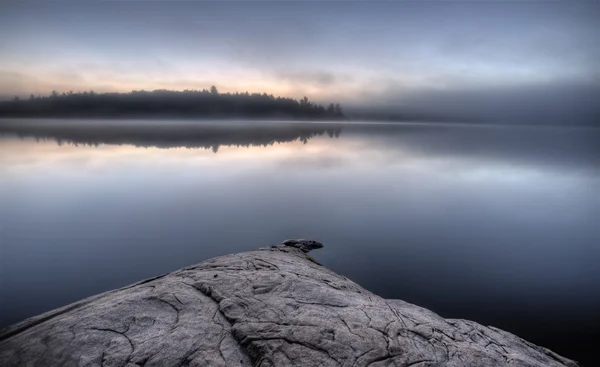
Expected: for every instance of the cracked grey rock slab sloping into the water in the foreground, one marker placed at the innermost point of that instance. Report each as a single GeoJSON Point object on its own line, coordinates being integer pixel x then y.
{"type": "Point", "coordinates": [269, 307]}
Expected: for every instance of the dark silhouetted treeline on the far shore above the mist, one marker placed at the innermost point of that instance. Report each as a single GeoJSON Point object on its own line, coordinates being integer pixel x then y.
{"type": "Point", "coordinates": [165, 103]}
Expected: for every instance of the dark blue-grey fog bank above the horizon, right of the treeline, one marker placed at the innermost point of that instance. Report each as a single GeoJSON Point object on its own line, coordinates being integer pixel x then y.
{"type": "Point", "coordinates": [559, 102]}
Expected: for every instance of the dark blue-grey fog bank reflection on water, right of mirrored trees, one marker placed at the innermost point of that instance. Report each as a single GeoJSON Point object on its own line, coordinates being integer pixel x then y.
{"type": "Point", "coordinates": [508, 148]}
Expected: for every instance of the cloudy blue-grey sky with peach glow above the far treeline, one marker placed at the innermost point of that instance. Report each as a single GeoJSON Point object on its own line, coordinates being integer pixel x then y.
{"type": "Point", "coordinates": [403, 54]}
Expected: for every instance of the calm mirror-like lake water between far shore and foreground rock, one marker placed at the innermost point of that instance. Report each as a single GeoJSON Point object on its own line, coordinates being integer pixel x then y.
{"type": "Point", "coordinates": [496, 224]}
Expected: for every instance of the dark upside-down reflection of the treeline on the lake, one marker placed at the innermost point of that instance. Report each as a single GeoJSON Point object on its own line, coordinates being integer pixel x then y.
{"type": "Point", "coordinates": [169, 135]}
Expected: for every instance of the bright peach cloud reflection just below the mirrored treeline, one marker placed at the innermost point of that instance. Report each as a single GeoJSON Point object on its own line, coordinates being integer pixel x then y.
{"type": "Point", "coordinates": [46, 155]}
